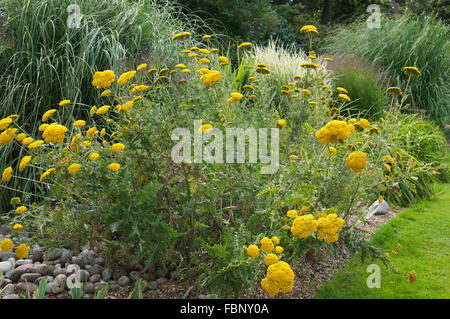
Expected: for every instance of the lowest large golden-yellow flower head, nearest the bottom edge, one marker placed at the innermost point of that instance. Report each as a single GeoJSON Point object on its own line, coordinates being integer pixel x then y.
{"type": "Point", "coordinates": [279, 279]}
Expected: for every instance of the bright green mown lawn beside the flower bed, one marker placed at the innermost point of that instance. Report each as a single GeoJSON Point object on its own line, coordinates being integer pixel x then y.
{"type": "Point", "coordinates": [423, 230]}
